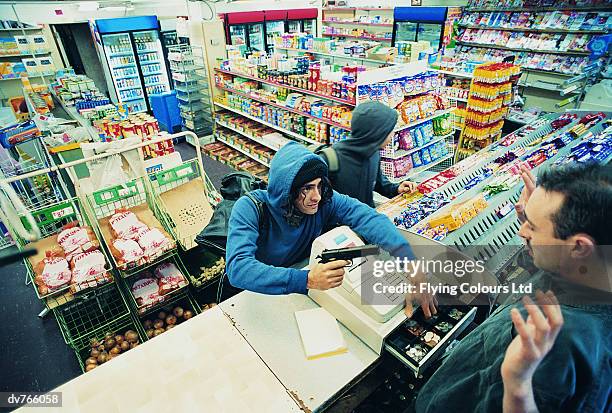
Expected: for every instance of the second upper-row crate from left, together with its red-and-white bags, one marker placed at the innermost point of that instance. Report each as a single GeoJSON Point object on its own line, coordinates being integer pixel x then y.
{"type": "Point", "coordinates": [126, 218]}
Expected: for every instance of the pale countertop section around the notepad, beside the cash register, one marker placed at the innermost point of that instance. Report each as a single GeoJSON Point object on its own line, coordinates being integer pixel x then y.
{"type": "Point", "coordinates": [268, 324]}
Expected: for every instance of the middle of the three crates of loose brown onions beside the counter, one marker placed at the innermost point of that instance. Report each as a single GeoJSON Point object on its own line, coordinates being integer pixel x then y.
{"type": "Point", "coordinates": [168, 316]}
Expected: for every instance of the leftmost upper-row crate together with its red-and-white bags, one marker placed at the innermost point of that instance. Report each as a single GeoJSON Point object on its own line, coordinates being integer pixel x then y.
{"type": "Point", "coordinates": [69, 259]}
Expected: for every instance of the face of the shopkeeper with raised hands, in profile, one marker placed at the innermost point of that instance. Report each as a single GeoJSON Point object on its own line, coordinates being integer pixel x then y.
{"type": "Point", "coordinates": [548, 251]}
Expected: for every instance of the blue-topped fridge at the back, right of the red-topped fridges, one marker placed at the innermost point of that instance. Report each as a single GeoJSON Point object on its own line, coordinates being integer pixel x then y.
{"type": "Point", "coordinates": [419, 23]}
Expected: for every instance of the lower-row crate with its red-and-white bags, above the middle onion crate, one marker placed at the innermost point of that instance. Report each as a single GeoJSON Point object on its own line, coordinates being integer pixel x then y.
{"type": "Point", "coordinates": [157, 286]}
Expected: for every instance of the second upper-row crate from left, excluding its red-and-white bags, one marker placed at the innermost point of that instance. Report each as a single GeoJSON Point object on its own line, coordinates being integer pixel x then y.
{"type": "Point", "coordinates": [133, 196]}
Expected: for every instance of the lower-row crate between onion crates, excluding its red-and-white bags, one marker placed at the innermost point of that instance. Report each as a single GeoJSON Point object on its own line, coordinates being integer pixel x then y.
{"type": "Point", "coordinates": [162, 299]}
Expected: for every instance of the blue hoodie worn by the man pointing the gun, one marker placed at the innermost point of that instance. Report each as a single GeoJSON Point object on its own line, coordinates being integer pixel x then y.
{"type": "Point", "coordinates": [259, 263]}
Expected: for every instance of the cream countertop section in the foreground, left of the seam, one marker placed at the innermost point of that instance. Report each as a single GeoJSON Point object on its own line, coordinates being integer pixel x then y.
{"type": "Point", "coordinates": [202, 365]}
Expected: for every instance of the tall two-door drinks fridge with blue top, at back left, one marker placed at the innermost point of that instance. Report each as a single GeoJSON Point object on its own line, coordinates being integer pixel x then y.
{"type": "Point", "coordinates": [133, 59]}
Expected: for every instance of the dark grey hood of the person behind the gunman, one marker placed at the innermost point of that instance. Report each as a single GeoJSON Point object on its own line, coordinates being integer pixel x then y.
{"type": "Point", "coordinates": [370, 125]}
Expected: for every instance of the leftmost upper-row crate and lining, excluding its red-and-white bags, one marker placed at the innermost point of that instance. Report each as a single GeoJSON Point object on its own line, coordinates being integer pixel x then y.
{"type": "Point", "coordinates": [50, 221]}
